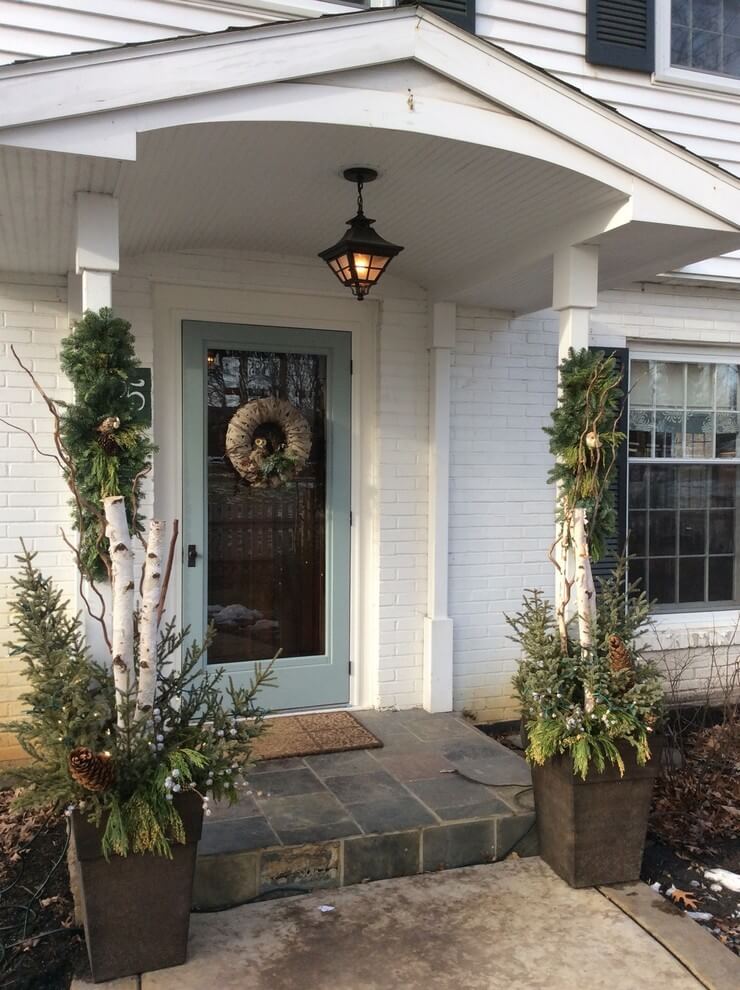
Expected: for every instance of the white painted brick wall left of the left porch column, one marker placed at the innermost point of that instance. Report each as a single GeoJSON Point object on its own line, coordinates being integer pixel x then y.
{"type": "Point", "coordinates": [33, 497]}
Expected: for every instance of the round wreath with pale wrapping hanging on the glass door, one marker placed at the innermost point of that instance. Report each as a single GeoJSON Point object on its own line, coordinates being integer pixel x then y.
{"type": "Point", "coordinates": [268, 442]}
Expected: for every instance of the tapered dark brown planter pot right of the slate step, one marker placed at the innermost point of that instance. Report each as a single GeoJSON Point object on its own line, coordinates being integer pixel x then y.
{"type": "Point", "coordinates": [592, 831]}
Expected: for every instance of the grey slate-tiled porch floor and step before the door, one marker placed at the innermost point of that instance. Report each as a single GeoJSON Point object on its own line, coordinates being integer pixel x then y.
{"type": "Point", "coordinates": [439, 794]}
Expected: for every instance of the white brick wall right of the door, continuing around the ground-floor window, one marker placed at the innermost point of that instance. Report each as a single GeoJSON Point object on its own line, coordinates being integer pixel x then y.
{"type": "Point", "coordinates": [501, 523]}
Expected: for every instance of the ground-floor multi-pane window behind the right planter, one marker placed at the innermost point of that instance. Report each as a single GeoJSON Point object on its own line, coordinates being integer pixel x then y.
{"type": "Point", "coordinates": [684, 482]}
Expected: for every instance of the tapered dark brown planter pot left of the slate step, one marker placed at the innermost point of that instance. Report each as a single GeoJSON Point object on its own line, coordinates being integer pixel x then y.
{"type": "Point", "coordinates": [136, 909]}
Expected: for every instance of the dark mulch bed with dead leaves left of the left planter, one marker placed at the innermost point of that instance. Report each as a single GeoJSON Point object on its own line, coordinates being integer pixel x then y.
{"type": "Point", "coordinates": [40, 946]}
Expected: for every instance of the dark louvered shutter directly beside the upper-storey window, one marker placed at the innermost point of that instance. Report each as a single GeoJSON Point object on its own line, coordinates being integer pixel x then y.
{"type": "Point", "coordinates": [621, 33]}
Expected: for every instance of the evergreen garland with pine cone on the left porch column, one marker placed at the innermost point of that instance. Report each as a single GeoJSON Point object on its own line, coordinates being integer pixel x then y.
{"type": "Point", "coordinates": [103, 430]}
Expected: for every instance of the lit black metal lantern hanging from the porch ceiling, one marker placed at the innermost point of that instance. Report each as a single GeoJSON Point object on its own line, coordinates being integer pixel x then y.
{"type": "Point", "coordinates": [362, 255]}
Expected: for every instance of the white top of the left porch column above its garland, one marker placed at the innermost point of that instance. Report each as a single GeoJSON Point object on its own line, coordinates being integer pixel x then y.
{"type": "Point", "coordinates": [96, 249]}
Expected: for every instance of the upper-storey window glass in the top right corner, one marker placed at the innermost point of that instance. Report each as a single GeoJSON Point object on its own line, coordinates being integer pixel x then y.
{"type": "Point", "coordinates": [705, 35]}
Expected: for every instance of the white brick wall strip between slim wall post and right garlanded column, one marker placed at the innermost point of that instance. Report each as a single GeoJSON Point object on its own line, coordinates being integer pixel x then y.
{"type": "Point", "coordinates": [501, 510]}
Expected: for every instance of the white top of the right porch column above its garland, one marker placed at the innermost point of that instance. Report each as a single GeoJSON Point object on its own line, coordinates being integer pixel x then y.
{"type": "Point", "coordinates": [574, 294]}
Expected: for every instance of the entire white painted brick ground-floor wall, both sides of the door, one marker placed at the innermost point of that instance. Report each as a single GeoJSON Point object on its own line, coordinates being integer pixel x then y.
{"type": "Point", "coordinates": [501, 516]}
